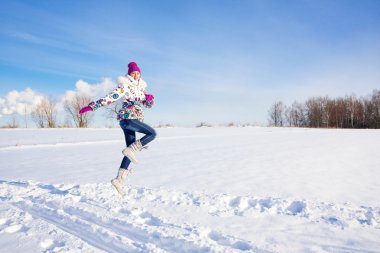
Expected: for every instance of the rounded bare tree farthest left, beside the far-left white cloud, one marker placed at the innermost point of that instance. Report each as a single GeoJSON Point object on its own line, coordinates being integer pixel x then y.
{"type": "Point", "coordinates": [44, 114]}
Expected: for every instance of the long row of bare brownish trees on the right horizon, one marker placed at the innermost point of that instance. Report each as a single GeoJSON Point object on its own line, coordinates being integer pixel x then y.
{"type": "Point", "coordinates": [325, 112]}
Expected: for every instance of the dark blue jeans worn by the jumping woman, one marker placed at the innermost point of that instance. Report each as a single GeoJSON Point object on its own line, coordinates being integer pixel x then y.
{"type": "Point", "coordinates": [130, 127]}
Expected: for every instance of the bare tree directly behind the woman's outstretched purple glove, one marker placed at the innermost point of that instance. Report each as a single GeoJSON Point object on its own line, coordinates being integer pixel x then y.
{"type": "Point", "coordinates": [73, 106]}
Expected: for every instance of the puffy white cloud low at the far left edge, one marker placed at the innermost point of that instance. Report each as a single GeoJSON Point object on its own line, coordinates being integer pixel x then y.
{"type": "Point", "coordinates": [19, 102]}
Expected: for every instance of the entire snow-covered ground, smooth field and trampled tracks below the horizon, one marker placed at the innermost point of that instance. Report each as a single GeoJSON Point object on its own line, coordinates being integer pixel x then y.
{"type": "Point", "coordinates": [195, 190]}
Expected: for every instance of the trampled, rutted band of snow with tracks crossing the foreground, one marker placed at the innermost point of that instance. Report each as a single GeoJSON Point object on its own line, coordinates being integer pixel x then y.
{"type": "Point", "coordinates": [71, 212]}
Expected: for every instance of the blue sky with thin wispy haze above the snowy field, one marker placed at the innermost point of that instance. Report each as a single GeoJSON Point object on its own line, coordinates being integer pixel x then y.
{"type": "Point", "coordinates": [213, 61]}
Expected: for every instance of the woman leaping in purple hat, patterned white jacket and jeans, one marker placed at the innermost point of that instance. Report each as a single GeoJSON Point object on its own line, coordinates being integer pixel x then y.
{"type": "Point", "coordinates": [133, 89]}
